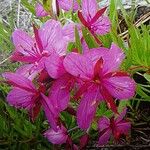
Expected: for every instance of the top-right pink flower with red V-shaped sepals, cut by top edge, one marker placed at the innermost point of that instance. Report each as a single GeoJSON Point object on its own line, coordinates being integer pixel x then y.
{"type": "Point", "coordinates": [92, 18]}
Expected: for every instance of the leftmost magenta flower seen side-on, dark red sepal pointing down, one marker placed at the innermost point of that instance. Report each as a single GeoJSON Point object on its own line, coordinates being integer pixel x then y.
{"type": "Point", "coordinates": [24, 94]}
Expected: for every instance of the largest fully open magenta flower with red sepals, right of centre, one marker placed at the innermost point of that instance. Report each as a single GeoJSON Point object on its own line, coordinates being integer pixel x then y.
{"type": "Point", "coordinates": [100, 80]}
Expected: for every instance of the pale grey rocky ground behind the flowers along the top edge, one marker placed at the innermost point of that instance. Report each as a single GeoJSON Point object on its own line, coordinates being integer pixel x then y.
{"type": "Point", "coordinates": [22, 18]}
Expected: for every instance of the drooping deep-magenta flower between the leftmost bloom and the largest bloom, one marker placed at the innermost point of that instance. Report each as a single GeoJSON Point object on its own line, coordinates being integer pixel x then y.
{"type": "Point", "coordinates": [58, 99]}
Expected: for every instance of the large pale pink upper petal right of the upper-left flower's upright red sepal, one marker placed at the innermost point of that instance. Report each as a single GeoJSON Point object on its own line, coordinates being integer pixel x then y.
{"type": "Point", "coordinates": [52, 38]}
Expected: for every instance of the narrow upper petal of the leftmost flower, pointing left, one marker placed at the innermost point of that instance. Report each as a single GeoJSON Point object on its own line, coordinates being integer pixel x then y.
{"type": "Point", "coordinates": [19, 81]}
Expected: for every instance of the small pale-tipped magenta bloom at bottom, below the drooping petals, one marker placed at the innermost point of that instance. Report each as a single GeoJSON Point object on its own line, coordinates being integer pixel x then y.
{"type": "Point", "coordinates": [58, 137]}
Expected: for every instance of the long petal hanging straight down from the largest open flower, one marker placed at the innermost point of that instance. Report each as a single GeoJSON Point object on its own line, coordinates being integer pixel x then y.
{"type": "Point", "coordinates": [87, 108]}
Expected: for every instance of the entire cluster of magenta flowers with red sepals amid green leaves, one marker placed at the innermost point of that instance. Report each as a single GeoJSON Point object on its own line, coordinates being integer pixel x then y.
{"type": "Point", "coordinates": [51, 77]}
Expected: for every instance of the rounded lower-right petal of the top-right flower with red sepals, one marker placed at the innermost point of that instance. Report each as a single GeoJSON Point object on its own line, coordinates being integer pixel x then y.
{"type": "Point", "coordinates": [101, 26]}
